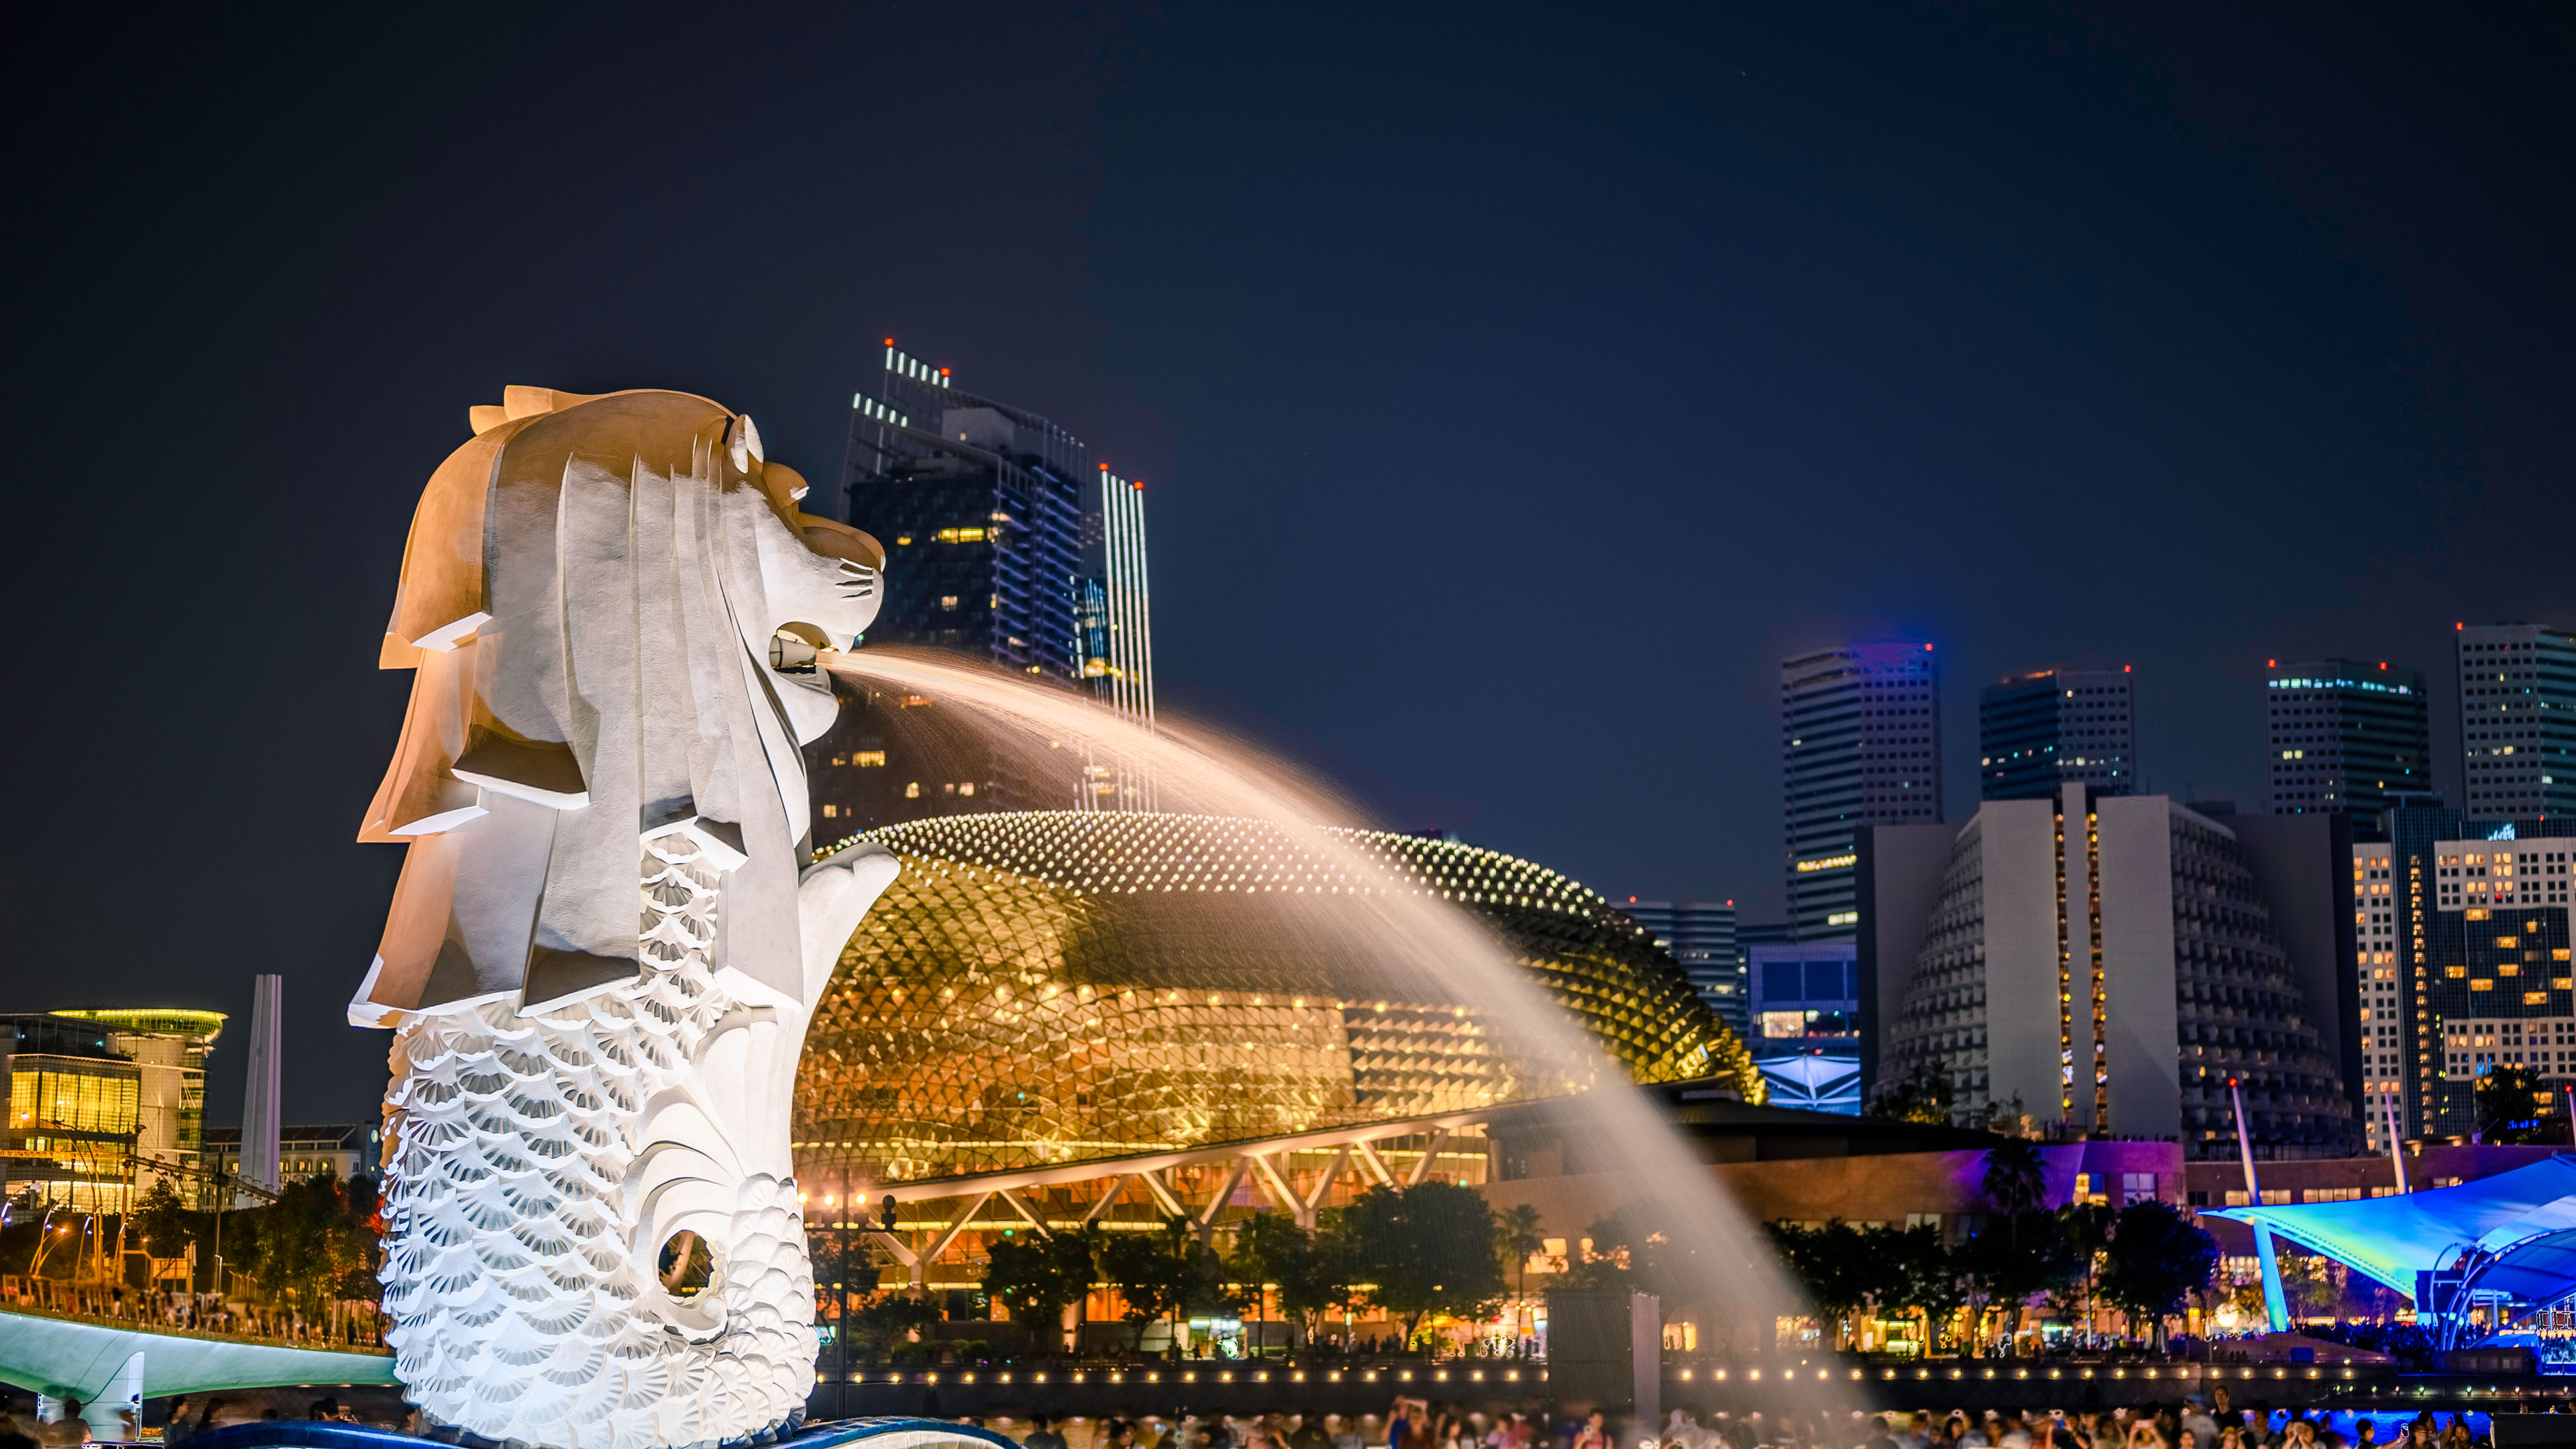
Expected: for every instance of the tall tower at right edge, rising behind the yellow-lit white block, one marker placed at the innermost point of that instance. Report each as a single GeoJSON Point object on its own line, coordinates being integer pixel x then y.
{"type": "Point", "coordinates": [2518, 721]}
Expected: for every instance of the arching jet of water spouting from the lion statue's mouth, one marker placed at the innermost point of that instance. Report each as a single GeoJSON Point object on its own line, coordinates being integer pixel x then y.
{"type": "Point", "coordinates": [1722, 1262]}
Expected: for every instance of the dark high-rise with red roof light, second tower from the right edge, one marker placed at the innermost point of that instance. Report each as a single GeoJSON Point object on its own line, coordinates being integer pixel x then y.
{"type": "Point", "coordinates": [2345, 736]}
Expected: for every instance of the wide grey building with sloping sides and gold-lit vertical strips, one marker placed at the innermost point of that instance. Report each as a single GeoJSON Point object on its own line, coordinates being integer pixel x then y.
{"type": "Point", "coordinates": [2072, 966]}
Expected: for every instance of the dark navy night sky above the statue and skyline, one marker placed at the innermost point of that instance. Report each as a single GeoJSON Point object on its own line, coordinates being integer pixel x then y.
{"type": "Point", "coordinates": [1513, 388]}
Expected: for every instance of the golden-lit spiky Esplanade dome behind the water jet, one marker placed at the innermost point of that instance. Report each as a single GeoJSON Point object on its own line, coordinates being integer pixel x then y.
{"type": "Point", "coordinates": [1065, 986]}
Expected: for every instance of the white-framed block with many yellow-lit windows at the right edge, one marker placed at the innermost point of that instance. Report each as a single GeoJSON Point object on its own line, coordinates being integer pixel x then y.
{"type": "Point", "coordinates": [2477, 929]}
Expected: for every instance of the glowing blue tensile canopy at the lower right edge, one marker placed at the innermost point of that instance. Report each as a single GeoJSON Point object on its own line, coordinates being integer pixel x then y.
{"type": "Point", "coordinates": [2394, 1239]}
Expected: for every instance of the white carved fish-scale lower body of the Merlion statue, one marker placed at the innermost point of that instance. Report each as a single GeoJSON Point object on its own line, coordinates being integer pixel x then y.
{"type": "Point", "coordinates": [514, 1267]}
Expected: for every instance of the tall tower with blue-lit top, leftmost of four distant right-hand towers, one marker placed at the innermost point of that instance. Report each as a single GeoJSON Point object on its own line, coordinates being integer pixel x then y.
{"type": "Point", "coordinates": [1859, 746]}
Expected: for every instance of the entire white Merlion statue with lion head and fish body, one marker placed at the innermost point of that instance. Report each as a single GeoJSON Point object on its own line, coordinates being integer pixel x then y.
{"type": "Point", "coordinates": [607, 940]}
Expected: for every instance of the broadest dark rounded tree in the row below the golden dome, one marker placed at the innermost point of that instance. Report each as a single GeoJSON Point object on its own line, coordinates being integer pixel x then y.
{"type": "Point", "coordinates": [1431, 1249]}
